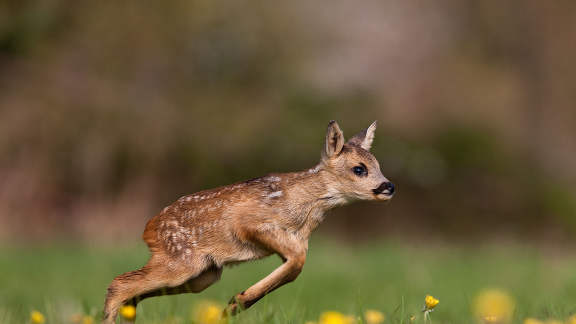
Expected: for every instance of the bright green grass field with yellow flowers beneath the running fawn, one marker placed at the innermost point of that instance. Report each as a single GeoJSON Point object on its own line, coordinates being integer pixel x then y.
{"type": "Point", "coordinates": [64, 280]}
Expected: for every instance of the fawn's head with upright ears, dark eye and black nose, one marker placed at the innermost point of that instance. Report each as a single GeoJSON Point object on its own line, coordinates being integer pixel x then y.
{"type": "Point", "coordinates": [356, 172]}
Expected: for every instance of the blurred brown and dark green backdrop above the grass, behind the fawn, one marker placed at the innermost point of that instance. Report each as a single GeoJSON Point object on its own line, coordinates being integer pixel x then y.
{"type": "Point", "coordinates": [110, 111]}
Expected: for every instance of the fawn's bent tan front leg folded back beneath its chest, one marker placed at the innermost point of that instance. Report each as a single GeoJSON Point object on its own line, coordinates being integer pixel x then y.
{"type": "Point", "coordinates": [293, 253]}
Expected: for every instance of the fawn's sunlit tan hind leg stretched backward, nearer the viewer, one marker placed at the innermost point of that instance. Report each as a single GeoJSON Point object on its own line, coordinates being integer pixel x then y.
{"type": "Point", "coordinates": [154, 276]}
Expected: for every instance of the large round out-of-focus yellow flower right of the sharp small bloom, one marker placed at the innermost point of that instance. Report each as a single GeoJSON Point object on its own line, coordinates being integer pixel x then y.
{"type": "Point", "coordinates": [493, 306]}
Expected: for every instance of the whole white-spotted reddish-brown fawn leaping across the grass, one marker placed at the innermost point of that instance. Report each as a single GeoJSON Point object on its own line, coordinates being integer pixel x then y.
{"type": "Point", "coordinates": [191, 240]}
